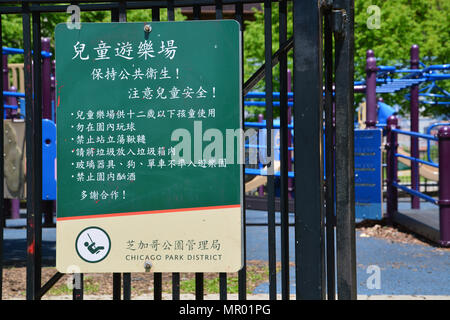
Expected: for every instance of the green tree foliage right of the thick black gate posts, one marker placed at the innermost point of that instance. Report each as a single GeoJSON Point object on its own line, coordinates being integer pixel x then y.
{"type": "Point", "coordinates": [404, 23]}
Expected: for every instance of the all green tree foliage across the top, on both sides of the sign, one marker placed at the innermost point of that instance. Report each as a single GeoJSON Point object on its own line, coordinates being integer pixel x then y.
{"type": "Point", "coordinates": [402, 24]}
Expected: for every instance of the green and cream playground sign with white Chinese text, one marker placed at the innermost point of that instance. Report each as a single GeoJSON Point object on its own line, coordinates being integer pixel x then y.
{"type": "Point", "coordinates": [148, 123]}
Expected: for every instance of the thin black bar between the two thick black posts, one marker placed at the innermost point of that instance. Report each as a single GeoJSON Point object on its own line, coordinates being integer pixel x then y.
{"type": "Point", "coordinates": [329, 161]}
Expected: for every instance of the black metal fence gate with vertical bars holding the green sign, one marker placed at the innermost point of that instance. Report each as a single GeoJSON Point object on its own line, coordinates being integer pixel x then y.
{"type": "Point", "coordinates": [321, 49]}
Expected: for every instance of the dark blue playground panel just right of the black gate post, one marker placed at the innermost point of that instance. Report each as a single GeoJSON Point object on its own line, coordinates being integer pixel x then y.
{"type": "Point", "coordinates": [368, 186]}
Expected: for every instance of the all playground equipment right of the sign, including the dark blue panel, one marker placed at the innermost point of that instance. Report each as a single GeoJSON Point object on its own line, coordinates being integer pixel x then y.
{"type": "Point", "coordinates": [375, 115]}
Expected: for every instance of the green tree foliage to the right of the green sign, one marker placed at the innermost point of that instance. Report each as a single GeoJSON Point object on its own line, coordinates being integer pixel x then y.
{"type": "Point", "coordinates": [402, 24]}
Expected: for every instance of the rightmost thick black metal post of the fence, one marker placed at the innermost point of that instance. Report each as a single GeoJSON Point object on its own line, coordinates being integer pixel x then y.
{"type": "Point", "coordinates": [345, 178]}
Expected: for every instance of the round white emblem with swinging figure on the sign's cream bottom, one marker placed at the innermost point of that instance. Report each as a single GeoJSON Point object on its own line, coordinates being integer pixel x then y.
{"type": "Point", "coordinates": [93, 244]}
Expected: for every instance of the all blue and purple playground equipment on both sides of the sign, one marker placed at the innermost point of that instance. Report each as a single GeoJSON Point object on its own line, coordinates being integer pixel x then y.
{"type": "Point", "coordinates": [374, 113]}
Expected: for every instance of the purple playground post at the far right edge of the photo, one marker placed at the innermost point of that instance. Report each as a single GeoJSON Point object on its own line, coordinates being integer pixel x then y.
{"type": "Point", "coordinates": [444, 185]}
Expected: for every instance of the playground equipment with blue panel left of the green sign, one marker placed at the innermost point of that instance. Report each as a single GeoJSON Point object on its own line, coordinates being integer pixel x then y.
{"type": "Point", "coordinates": [14, 119]}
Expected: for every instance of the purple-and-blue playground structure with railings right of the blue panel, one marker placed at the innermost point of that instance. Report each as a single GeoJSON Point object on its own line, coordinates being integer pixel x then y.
{"type": "Point", "coordinates": [431, 223]}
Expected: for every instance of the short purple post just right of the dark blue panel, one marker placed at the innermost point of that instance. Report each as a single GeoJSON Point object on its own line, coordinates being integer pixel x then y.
{"type": "Point", "coordinates": [391, 168]}
